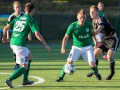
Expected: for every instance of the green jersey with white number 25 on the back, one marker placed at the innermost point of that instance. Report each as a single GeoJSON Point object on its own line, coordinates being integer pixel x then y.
{"type": "Point", "coordinates": [21, 28]}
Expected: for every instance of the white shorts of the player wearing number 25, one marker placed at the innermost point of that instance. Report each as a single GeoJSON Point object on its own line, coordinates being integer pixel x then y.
{"type": "Point", "coordinates": [21, 54]}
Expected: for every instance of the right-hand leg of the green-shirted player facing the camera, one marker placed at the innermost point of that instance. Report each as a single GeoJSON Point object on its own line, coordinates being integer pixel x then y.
{"type": "Point", "coordinates": [88, 56]}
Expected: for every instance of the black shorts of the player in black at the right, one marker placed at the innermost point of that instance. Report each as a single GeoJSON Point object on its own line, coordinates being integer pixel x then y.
{"type": "Point", "coordinates": [111, 43]}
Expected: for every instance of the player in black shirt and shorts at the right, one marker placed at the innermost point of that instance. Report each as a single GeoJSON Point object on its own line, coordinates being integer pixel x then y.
{"type": "Point", "coordinates": [109, 42]}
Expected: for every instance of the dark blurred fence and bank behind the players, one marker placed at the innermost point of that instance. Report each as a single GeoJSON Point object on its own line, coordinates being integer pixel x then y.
{"type": "Point", "coordinates": [54, 16]}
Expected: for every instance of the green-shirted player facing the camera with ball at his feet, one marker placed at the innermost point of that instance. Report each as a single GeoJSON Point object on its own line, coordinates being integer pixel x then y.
{"type": "Point", "coordinates": [82, 34]}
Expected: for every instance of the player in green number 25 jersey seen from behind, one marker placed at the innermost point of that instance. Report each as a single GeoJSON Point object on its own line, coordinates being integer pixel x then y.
{"type": "Point", "coordinates": [21, 28]}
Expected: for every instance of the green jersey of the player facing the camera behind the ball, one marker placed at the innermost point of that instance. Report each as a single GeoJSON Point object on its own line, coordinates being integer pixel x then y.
{"type": "Point", "coordinates": [81, 34]}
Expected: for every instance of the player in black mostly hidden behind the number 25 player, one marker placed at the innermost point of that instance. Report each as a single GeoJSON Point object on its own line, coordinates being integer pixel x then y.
{"type": "Point", "coordinates": [17, 13]}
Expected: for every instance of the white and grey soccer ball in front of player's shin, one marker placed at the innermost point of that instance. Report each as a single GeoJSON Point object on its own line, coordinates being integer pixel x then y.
{"type": "Point", "coordinates": [69, 69]}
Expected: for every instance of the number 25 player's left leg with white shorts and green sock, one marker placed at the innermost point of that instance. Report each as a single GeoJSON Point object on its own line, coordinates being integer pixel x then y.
{"type": "Point", "coordinates": [21, 58]}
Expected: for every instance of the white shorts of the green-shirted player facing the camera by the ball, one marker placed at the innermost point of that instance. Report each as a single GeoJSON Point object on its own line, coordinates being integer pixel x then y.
{"type": "Point", "coordinates": [86, 53]}
